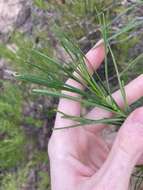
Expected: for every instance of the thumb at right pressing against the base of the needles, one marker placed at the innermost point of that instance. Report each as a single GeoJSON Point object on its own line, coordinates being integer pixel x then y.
{"type": "Point", "coordinates": [127, 149]}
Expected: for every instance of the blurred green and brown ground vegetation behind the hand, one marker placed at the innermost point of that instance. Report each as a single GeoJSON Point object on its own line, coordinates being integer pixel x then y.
{"type": "Point", "coordinates": [25, 119]}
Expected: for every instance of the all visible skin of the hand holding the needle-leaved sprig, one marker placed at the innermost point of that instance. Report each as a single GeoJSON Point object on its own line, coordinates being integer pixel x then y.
{"type": "Point", "coordinates": [80, 158]}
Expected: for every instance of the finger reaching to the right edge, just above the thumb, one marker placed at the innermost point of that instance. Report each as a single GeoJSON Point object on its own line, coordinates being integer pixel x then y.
{"type": "Point", "coordinates": [134, 91]}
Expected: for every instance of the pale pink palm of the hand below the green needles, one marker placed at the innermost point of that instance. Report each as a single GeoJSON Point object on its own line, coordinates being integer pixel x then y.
{"type": "Point", "coordinates": [83, 152]}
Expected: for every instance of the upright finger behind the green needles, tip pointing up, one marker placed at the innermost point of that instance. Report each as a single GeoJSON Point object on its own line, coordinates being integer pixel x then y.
{"type": "Point", "coordinates": [94, 58]}
